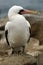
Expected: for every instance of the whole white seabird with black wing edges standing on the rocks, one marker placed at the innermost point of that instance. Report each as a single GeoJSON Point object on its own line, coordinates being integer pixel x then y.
{"type": "Point", "coordinates": [17, 29]}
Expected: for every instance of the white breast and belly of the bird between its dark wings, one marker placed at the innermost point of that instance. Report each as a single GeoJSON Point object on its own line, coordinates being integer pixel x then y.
{"type": "Point", "coordinates": [18, 33]}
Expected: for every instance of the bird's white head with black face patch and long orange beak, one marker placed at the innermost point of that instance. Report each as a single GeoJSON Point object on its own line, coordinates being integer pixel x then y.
{"type": "Point", "coordinates": [19, 10]}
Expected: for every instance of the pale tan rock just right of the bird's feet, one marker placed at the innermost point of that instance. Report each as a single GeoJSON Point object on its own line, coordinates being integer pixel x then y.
{"type": "Point", "coordinates": [30, 48]}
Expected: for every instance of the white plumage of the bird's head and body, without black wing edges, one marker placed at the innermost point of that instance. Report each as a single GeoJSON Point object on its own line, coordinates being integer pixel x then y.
{"type": "Point", "coordinates": [18, 28]}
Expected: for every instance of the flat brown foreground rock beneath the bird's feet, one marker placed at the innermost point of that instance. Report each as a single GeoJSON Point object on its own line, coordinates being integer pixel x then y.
{"type": "Point", "coordinates": [18, 60]}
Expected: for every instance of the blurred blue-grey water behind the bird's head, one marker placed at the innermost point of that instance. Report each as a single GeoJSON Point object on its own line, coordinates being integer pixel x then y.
{"type": "Point", "coordinates": [29, 4]}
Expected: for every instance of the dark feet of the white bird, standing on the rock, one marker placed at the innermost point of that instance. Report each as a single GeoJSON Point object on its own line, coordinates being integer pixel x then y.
{"type": "Point", "coordinates": [19, 51]}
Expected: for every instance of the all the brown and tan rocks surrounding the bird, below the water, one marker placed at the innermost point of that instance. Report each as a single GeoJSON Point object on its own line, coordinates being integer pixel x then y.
{"type": "Point", "coordinates": [34, 50]}
